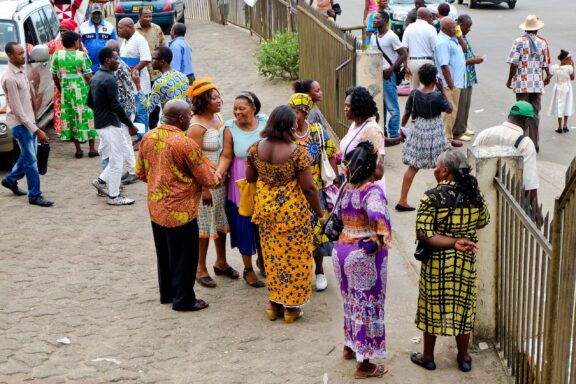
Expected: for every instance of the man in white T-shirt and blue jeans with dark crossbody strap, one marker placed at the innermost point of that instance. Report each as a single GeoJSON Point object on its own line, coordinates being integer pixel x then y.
{"type": "Point", "coordinates": [394, 54]}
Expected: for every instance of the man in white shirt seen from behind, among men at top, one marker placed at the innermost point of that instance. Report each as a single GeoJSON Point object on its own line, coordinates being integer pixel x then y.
{"type": "Point", "coordinates": [420, 41]}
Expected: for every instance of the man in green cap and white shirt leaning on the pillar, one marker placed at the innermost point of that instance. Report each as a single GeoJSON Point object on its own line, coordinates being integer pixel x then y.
{"type": "Point", "coordinates": [513, 133]}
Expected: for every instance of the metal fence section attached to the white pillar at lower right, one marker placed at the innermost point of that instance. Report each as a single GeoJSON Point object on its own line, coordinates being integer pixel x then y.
{"type": "Point", "coordinates": [524, 258]}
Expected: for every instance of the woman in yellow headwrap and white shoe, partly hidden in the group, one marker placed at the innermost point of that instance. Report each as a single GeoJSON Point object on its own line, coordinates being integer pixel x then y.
{"type": "Point", "coordinates": [307, 135]}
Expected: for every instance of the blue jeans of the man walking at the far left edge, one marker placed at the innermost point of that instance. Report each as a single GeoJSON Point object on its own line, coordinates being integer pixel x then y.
{"type": "Point", "coordinates": [26, 165]}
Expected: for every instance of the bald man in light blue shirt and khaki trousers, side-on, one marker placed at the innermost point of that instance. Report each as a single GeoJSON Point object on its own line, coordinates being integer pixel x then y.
{"type": "Point", "coordinates": [451, 65]}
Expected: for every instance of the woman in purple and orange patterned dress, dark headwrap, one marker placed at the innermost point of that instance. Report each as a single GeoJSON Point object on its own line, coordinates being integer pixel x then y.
{"type": "Point", "coordinates": [360, 260]}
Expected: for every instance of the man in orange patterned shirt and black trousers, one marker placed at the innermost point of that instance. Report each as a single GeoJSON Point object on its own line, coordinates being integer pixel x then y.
{"type": "Point", "coordinates": [176, 170]}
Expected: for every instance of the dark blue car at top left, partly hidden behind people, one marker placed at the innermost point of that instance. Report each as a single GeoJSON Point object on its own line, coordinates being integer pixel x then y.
{"type": "Point", "coordinates": [164, 12]}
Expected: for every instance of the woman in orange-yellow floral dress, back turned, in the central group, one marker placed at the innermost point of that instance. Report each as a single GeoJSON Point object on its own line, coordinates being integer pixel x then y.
{"type": "Point", "coordinates": [285, 193]}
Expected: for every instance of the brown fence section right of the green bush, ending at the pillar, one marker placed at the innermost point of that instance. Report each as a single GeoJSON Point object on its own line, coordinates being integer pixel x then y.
{"type": "Point", "coordinates": [328, 56]}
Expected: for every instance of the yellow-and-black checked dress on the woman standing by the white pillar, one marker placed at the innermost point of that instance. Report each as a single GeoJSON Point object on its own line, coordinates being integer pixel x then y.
{"type": "Point", "coordinates": [448, 281]}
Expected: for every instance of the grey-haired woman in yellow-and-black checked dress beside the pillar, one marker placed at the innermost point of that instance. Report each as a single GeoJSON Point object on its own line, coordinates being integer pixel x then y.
{"type": "Point", "coordinates": [448, 217]}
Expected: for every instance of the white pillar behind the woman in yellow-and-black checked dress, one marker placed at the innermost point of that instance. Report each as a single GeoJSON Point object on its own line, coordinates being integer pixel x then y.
{"type": "Point", "coordinates": [486, 161]}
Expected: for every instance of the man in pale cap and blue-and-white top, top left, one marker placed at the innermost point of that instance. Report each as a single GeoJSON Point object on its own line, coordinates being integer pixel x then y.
{"type": "Point", "coordinates": [95, 33]}
